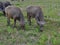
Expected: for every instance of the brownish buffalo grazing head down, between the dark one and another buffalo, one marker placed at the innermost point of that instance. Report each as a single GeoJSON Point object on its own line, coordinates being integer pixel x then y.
{"type": "Point", "coordinates": [16, 14]}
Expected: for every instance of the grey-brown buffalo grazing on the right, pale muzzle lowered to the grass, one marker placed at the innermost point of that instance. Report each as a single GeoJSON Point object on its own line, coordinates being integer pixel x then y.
{"type": "Point", "coordinates": [35, 12]}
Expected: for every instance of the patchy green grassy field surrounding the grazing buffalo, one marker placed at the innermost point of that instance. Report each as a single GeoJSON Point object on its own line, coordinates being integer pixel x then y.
{"type": "Point", "coordinates": [32, 36]}
